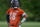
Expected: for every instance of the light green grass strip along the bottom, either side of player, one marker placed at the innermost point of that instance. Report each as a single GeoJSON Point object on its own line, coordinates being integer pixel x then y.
{"type": "Point", "coordinates": [26, 24]}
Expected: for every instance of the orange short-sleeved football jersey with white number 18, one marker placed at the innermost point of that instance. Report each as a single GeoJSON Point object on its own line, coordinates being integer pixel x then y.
{"type": "Point", "coordinates": [15, 15]}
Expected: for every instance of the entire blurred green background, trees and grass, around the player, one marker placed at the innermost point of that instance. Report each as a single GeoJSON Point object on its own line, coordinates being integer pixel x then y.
{"type": "Point", "coordinates": [31, 7]}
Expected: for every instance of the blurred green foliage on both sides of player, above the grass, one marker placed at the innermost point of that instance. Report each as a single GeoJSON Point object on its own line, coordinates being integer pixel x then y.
{"type": "Point", "coordinates": [31, 7]}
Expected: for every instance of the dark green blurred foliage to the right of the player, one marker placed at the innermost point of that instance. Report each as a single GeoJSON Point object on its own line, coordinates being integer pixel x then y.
{"type": "Point", "coordinates": [32, 8]}
